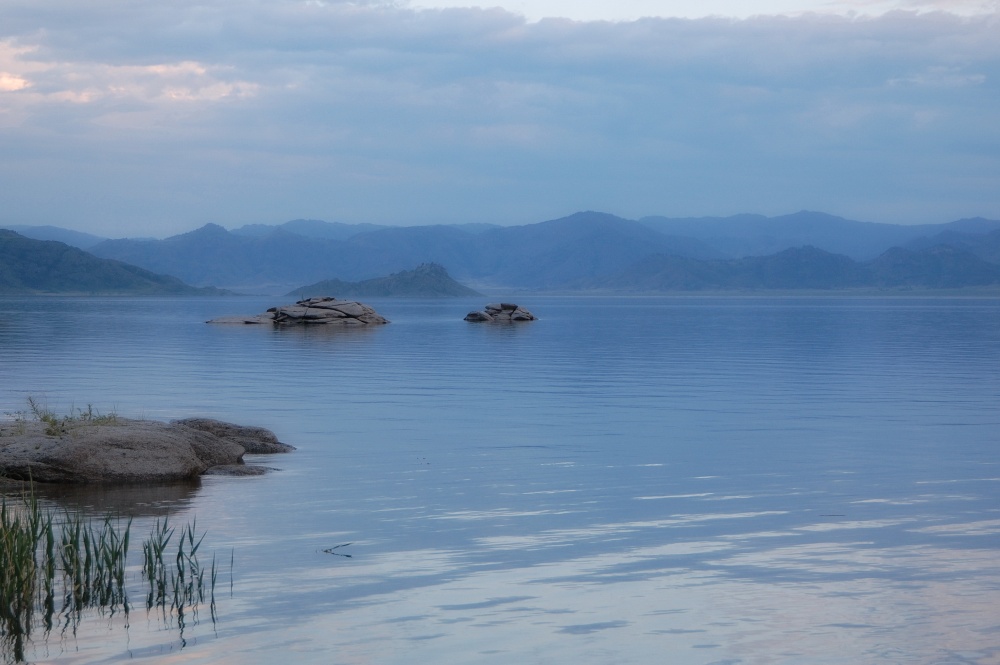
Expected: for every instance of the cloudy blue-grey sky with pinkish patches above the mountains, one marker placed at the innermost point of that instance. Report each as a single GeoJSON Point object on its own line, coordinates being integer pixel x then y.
{"type": "Point", "coordinates": [137, 118]}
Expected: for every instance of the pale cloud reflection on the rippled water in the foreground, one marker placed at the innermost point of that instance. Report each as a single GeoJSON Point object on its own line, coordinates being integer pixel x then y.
{"type": "Point", "coordinates": [648, 606]}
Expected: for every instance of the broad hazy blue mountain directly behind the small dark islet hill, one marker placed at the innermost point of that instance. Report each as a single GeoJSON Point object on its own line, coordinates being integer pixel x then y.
{"type": "Point", "coordinates": [545, 255]}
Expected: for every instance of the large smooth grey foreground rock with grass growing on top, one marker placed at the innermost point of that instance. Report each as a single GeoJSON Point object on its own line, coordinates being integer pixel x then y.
{"type": "Point", "coordinates": [129, 451]}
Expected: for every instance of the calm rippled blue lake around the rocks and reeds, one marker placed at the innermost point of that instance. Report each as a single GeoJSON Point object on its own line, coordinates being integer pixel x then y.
{"type": "Point", "coordinates": [649, 480]}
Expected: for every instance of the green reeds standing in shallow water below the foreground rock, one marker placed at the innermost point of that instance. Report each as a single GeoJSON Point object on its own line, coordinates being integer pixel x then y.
{"type": "Point", "coordinates": [83, 562]}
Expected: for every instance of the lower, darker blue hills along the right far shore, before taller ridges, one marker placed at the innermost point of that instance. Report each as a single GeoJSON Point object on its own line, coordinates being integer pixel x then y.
{"type": "Point", "coordinates": [806, 268]}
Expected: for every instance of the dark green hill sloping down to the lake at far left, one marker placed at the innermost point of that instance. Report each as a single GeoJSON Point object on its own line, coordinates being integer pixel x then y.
{"type": "Point", "coordinates": [29, 266]}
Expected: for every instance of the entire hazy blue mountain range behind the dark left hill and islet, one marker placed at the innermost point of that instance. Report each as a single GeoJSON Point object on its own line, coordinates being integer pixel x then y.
{"type": "Point", "coordinates": [584, 251]}
